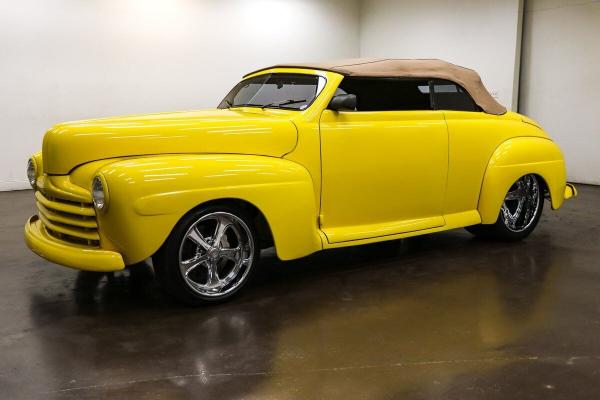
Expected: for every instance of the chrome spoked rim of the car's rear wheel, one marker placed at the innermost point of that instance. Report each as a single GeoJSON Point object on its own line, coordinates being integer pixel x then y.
{"type": "Point", "coordinates": [521, 204]}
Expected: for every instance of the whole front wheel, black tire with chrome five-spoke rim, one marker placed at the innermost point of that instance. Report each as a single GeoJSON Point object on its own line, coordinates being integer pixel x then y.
{"type": "Point", "coordinates": [208, 257]}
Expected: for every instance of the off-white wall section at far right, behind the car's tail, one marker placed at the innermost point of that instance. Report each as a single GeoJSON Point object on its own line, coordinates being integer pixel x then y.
{"type": "Point", "coordinates": [560, 83]}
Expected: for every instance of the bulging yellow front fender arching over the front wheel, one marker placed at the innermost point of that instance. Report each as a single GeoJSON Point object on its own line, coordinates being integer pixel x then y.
{"type": "Point", "coordinates": [149, 195]}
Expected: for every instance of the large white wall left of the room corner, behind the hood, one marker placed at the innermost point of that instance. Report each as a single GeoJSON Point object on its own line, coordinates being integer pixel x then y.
{"type": "Point", "coordinates": [71, 59]}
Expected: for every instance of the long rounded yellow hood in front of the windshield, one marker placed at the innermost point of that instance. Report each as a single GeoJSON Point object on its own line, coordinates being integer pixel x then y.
{"type": "Point", "coordinates": [239, 131]}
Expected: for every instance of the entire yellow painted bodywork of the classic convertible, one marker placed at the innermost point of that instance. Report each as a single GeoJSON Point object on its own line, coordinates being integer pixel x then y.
{"type": "Point", "coordinates": [322, 179]}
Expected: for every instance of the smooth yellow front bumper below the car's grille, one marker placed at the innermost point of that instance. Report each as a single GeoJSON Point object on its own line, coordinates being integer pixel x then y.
{"type": "Point", "coordinates": [69, 255]}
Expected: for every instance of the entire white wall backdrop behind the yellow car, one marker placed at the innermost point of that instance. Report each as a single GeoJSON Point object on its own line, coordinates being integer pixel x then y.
{"type": "Point", "coordinates": [69, 59]}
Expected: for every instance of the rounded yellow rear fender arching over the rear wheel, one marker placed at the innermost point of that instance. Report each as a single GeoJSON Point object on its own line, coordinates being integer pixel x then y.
{"type": "Point", "coordinates": [517, 157]}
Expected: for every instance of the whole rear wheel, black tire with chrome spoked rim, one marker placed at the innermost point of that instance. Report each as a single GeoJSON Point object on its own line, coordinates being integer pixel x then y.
{"type": "Point", "coordinates": [520, 212]}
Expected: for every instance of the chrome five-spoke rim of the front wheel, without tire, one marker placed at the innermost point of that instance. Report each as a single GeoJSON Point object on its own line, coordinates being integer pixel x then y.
{"type": "Point", "coordinates": [216, 254]}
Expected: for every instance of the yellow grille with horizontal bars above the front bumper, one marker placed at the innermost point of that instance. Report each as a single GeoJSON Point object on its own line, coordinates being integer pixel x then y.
{"type": "Point", "coordinates": [68, 220]}
